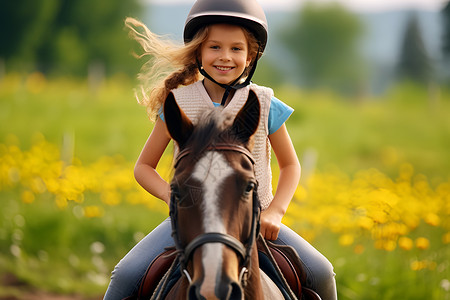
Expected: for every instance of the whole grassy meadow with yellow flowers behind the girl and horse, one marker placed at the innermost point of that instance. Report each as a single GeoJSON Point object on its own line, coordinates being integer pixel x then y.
{"type": "Point", "coordinates": [374, 196]}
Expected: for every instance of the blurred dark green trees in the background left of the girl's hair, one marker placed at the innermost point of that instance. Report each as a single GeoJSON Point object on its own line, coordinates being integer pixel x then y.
{"type": "Point", "coordinates": [67, 36]}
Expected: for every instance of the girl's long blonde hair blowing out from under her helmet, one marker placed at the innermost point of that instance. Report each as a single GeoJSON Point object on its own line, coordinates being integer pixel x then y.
{"type": "Point", "coordinates": [170, 65]}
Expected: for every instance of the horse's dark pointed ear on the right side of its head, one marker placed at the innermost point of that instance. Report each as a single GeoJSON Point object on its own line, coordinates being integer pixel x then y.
{"type": "Point", "coordinates": [247, 119]}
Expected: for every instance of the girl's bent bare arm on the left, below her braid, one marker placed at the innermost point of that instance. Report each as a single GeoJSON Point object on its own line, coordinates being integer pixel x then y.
{"type": "Point", "coordinates": [145, 169]}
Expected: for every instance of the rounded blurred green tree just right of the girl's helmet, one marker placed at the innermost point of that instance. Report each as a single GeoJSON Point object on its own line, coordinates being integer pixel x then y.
{"type": "Point", "coordinates": [324, 39]}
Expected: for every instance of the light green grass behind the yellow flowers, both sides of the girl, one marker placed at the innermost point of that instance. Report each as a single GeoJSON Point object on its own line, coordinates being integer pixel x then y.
{"type": "Point", "coordinates": [382, 132]}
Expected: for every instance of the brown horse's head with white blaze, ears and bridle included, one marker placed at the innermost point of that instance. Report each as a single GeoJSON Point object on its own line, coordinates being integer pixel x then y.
{"type": "Point", "coordinates": [214, 208]}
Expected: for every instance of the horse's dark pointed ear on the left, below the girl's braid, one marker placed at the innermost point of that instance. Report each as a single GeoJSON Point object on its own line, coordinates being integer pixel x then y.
{"type": "Point", "coordinates": [178, 124]}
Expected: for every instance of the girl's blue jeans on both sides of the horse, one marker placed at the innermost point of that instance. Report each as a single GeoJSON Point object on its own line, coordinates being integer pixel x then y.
{"type": "Point", "coordinates": [129, 271]}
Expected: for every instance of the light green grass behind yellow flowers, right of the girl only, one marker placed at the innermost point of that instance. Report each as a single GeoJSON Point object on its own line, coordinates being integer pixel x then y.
{"type": "Point", "coordinates": [381, 132]}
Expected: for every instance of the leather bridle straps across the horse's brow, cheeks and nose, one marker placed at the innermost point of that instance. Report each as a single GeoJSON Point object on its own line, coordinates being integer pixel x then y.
{"type": "Point", "coordinates": [243, 249]}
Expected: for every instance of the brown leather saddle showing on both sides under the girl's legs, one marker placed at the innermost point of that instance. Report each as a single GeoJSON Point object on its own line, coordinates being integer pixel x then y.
{"type": "Point", "coordinates": [285, 257]}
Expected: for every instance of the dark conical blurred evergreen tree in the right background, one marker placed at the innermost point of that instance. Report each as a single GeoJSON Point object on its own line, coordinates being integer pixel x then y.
{"type": "Point", "coordinates": [414, 63]}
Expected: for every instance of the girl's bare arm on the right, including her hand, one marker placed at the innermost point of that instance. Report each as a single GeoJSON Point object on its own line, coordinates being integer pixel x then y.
{"type": "Point", "coordinates": [287, 183]}
